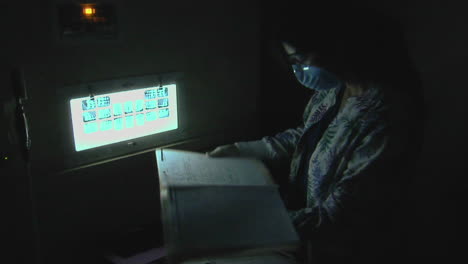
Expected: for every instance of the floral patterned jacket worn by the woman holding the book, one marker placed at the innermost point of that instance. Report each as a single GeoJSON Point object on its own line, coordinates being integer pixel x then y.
{"type": "Point", "coordinates": [355, 138]}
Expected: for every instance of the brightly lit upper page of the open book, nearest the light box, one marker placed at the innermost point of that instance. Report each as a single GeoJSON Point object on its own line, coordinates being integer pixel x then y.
{"type": "Point", "coordinates": [193, 168]}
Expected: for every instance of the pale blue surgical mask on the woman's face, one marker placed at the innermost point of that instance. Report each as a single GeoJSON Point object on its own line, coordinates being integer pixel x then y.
{"type": "Point", "coordinates": [315, 78]}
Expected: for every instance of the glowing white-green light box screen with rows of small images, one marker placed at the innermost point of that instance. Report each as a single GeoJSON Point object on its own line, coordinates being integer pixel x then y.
{"type": "Point", "coordinates": [116, 117]}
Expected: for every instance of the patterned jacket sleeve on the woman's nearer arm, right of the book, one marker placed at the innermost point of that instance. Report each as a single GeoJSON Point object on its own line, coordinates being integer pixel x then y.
{"type": "Point", "coordinates": [346, 193]}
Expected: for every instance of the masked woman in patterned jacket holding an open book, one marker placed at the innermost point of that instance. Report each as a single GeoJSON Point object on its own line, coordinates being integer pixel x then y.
{"type": "Point", "coordinates": [347, 154]}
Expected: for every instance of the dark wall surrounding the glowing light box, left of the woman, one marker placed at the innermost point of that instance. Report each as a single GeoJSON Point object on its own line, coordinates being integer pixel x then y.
{"type": "Point", "coordinates": [215, 44]}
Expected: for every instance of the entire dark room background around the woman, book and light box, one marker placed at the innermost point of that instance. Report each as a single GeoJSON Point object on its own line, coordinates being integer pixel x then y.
{"type": "Point", "coordinates": [233, 91]}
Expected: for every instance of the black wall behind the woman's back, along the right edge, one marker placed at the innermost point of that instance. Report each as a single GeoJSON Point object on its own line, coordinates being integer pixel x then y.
{"type": "Point", "coordinates": [435, 36]}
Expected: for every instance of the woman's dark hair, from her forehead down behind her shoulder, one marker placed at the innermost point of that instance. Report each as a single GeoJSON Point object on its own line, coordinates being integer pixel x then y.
{"type": "Point", "coordinates": [360, 45]}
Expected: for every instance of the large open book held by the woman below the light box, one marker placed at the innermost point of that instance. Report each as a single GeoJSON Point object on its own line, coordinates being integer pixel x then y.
{"type": "Point", "coordinates": [220, 206]}
